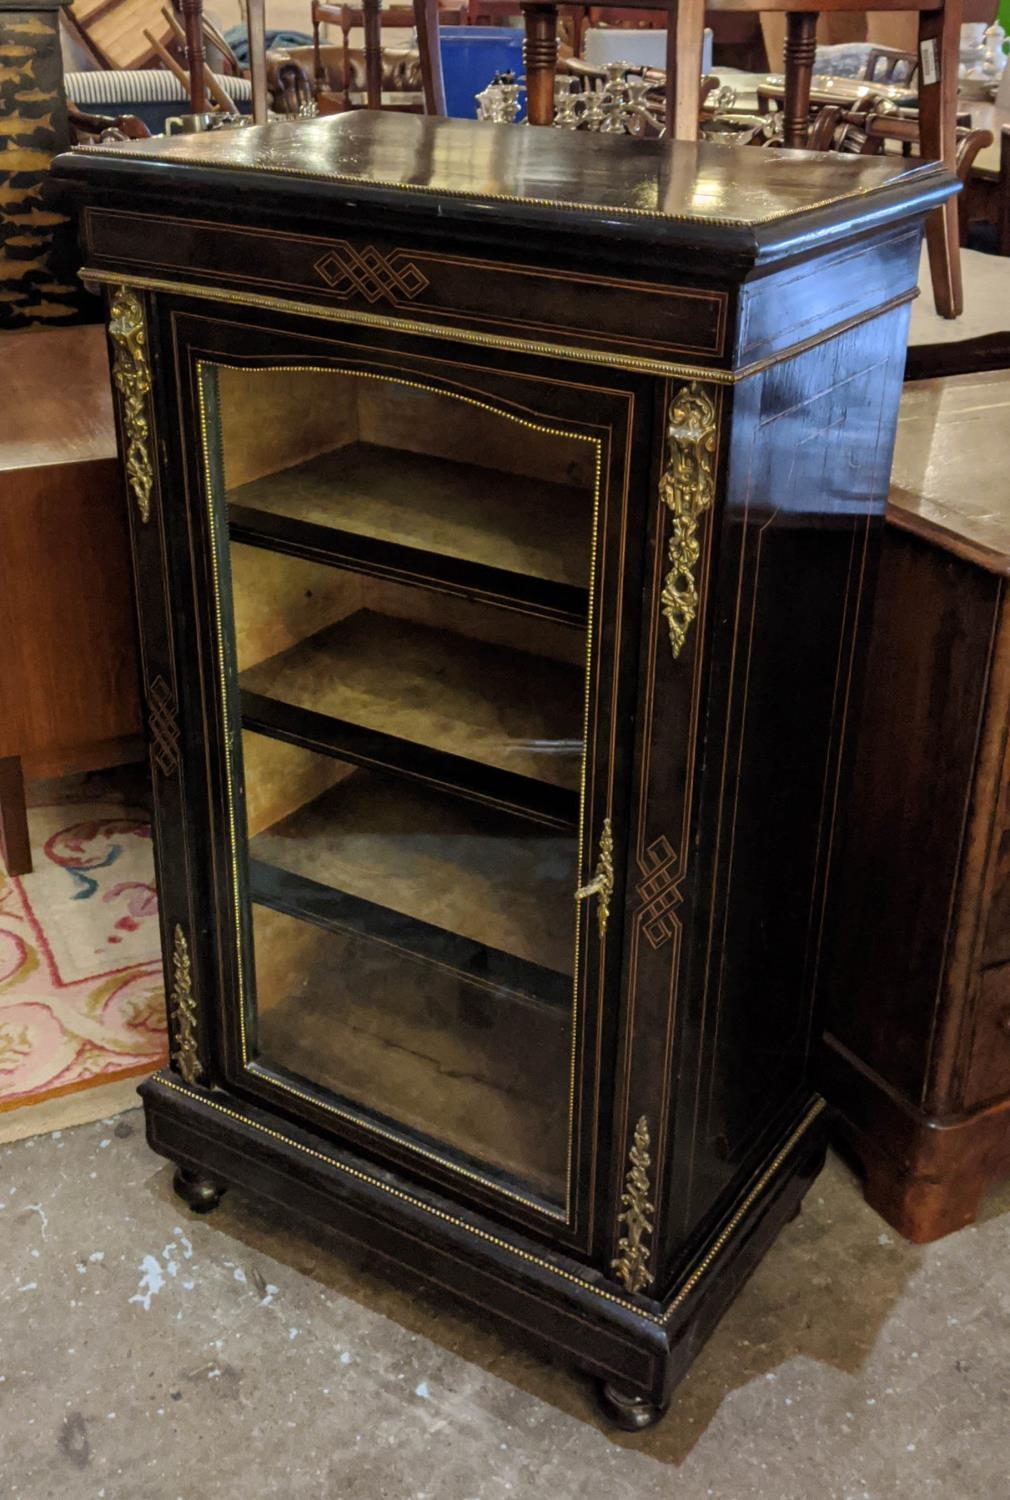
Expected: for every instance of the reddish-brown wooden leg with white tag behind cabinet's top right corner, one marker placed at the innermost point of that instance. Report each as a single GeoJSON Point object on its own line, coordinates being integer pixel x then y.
{"type": "Point", "coordinates": [939, 58]}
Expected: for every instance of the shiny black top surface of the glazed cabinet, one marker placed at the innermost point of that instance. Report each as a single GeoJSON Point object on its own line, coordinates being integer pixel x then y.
{"type": "Point", "coordinates": [535, 172]}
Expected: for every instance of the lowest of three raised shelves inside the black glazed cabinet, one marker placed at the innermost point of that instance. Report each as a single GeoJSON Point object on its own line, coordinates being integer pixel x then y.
{"type": "Point", "coordinates": [499, 881]}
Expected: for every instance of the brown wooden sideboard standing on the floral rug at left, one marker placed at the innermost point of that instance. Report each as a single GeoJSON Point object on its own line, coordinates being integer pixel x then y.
{"type": "Point", "coordinates": [68, 689]}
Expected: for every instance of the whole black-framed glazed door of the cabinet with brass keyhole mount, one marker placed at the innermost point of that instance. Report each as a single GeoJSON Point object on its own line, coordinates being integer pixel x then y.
{"type": "Point", "coordinates": [415, 583]}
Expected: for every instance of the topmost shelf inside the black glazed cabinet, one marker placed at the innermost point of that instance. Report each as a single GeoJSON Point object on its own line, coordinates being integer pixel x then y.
{"type": "Point", "coordinates": [434, 523]}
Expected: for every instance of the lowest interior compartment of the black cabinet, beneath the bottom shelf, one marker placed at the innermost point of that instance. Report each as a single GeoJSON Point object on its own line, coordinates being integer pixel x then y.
{"type": "Point", "coordinates": [475, 1072]}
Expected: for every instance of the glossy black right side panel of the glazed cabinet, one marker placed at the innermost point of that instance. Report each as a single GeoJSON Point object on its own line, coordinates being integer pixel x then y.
{"type": "Point", "coordinates": [792, 577]}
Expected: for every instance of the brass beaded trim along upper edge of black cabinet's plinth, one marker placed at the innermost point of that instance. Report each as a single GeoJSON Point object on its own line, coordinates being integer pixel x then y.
{"type": "Point", "coordinates": [503, 1244]}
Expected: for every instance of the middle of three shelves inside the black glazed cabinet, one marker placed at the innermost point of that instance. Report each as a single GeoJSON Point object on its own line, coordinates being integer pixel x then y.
{"type": "Point", "coordinates": [497, 725]}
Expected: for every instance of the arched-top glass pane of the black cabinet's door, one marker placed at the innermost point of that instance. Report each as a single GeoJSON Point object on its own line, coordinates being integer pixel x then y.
{"type": "Point", "coordinates": [410, 584]}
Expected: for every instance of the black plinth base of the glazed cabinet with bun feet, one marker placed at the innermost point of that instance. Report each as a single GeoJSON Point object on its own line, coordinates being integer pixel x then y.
{"type": "Point", "coordinates": [637, 1348]}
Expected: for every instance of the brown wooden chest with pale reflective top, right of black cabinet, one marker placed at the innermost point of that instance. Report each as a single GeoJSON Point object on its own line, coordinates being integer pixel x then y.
{"type": "Point", "coordinates": [918, 1043]}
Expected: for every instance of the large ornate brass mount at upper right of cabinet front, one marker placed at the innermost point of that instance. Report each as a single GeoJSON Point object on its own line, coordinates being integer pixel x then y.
{"type": "Point", "coordinates": [688, 490]}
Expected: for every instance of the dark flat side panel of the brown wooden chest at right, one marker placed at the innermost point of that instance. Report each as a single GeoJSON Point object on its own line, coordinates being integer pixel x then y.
{"type": "Point", "coordinates": [915, 755]}
